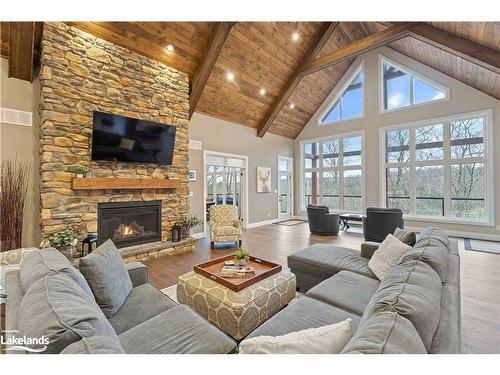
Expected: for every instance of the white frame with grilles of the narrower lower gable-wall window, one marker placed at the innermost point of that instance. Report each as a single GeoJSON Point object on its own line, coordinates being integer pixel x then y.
{"type": "Point", "coordinates": [340, 169]}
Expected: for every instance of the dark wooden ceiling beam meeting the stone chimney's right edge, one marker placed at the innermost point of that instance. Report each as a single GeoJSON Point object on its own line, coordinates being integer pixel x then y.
{"type": "Point", "coordinates": [210, 55]}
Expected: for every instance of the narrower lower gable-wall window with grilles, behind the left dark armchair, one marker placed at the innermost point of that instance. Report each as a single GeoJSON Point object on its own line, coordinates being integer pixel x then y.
{"type": "Point", "coordinates": [333, 174]}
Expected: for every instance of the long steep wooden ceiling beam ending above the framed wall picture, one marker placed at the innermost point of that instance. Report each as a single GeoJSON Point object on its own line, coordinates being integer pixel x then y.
{"type": "Point", "coordinates": [323, 36]}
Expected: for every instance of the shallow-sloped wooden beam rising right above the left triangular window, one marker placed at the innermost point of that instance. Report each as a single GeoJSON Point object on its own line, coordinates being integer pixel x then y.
{"type": "Point", "coordinates": [371, 42]}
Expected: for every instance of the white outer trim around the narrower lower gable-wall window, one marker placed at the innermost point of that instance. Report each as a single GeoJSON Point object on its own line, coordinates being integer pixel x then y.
{"type": "Point", "coordinates": [361, 133]}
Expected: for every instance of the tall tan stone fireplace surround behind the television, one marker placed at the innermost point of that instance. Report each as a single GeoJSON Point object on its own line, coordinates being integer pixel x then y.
{"type": "Point", "coordinates": [81, 74]}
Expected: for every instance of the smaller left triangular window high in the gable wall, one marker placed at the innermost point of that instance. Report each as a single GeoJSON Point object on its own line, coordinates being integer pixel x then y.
{"type": "Point", "coordinates": [349, 104]}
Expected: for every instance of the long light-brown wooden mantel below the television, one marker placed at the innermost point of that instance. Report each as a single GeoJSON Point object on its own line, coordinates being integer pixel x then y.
{"type": "Point", "coordinates": [124, 183]}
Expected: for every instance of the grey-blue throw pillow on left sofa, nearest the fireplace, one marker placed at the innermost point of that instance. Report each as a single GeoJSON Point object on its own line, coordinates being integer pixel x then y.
{"type": "Point", "coordinates": [107, 276]}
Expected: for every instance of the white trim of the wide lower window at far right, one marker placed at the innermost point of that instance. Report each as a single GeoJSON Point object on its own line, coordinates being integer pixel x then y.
{"type": "Point", "coordinates": [488, 160]}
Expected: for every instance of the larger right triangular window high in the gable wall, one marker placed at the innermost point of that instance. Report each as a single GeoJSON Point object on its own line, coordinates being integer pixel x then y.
{"type": "Point", "coordinates": [403, 88]}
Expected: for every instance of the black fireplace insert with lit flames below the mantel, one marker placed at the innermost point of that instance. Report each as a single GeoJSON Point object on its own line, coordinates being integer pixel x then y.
{"type": "Point", "coordinates": [129, 223]}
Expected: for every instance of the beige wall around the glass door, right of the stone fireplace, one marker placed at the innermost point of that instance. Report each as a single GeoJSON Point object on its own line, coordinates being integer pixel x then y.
{"type": "Point", "coordinates": [223, 136]}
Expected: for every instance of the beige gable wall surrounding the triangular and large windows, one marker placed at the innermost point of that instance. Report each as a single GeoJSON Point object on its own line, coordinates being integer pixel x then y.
{"type": "Point", "coordinates": [463, 99]}
